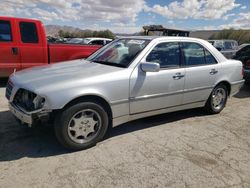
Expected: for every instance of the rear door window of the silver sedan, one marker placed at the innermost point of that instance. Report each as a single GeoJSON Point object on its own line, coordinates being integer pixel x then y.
{"type": "Point", "coordinates": [195, 55]}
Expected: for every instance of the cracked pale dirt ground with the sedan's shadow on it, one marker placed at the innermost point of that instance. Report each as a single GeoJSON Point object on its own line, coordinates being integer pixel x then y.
{"type": "Point", "coordinates": [182, 149]}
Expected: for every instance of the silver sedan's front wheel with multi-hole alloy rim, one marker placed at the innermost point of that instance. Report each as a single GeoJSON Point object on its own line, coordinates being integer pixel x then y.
{"type": "Point", "coordinates": [81, 126]}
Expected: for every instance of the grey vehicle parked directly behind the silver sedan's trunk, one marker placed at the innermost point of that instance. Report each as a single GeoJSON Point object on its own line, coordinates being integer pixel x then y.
{"type": "Point", "coordinates": [227, 47]}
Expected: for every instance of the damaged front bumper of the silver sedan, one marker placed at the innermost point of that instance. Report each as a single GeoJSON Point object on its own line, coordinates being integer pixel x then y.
{"type": "Point", "coordinates": [29, 118]}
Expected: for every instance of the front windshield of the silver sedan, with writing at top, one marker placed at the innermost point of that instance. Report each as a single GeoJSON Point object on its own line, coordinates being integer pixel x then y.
{"type": "Point", "coordinates": [119, 53]}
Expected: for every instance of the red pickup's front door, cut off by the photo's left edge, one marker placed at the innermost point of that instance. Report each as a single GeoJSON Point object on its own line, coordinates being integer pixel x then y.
{"type": "Point", "coordinates": [9, 54]}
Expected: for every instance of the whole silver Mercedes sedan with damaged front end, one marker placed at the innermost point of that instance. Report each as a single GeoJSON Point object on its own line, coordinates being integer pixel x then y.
{"type": "Point", "coordinates": [128, 79]}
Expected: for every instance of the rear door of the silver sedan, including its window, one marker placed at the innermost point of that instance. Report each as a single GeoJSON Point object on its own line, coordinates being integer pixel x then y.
{"type": "Point", "coordinates": [202, 72]}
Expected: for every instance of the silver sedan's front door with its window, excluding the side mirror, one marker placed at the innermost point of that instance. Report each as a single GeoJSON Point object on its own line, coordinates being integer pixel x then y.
{"type": "Point", "coordinates": [151, 91]}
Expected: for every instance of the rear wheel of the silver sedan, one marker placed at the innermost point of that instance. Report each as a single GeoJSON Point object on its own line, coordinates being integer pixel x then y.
{"type": "Point", "coordinates": [216, 105]}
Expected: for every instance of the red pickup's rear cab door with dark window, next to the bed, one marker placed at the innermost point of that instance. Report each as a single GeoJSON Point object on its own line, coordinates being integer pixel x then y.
{"type": "Point", "coordinates": [33, 46]}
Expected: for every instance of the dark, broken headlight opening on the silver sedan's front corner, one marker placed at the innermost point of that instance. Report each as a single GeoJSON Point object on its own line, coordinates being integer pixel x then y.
{"type": "Point", "coordinates": [28, 100]}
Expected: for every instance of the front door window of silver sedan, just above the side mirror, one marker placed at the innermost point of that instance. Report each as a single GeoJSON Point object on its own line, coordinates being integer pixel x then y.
{"type": "Point", "coordinates": [166, 54]}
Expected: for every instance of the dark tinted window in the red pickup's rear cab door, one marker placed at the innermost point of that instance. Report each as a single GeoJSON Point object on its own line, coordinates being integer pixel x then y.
{"type": "Point", "coordinates": [28, 32]}
